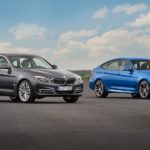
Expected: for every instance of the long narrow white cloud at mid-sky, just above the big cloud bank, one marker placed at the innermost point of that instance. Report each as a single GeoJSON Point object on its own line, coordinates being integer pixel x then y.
{"type": "Point", "coordinates": [69, 35]}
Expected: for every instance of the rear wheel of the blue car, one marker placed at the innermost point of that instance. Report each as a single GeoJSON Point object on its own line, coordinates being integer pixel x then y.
{"type": "Point", "coordinates": [100, 89]}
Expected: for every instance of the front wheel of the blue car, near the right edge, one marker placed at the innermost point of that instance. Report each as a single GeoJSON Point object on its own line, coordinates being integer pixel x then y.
{"type": "Point", "coordinates": [144, 89]}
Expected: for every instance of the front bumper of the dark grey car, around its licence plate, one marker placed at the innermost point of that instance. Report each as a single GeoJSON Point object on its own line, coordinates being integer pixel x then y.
{"type": "Point", "coordinates": [52, 90]}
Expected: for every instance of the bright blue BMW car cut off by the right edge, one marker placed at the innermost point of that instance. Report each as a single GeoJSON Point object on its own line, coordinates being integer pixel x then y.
{"type": "Point", "coordinates": [122, 75]}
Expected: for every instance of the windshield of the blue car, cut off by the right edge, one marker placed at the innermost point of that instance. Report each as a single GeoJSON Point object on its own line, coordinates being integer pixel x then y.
{"type": "Point", "coordinates": [141, 64]}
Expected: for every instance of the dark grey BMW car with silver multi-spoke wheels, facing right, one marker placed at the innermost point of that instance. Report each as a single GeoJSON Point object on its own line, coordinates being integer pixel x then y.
{"type": "Point", "coordinates": [25, 78]}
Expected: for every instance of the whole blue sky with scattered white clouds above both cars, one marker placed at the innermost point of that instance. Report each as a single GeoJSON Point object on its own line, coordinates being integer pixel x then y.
{"type": "Point", "coordinates": [76, 34]}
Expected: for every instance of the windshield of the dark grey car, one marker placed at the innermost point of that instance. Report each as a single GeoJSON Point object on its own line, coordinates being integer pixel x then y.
{"type": "Point", "coordinates": [29, 62]}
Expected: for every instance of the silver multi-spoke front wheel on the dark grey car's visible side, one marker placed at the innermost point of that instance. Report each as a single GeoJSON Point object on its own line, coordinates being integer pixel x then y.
{"type": "Point", "coordinates": [25, 92]}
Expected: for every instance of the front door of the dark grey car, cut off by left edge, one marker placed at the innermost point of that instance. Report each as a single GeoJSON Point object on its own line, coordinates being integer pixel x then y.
{"type": "Point", "coordinates": [7, 78]}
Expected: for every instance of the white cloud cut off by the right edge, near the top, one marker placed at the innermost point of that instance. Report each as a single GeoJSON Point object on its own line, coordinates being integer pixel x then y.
{"type": "Point", "coordinates": [142, 20]}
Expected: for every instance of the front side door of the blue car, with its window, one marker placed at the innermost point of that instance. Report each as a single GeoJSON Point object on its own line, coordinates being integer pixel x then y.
{"type": "Point", "coordinates": [127, 77]}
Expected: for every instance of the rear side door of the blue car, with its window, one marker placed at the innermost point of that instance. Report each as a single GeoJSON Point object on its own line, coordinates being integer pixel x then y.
{"type": "Point", "coordinates": [111, 74]}
